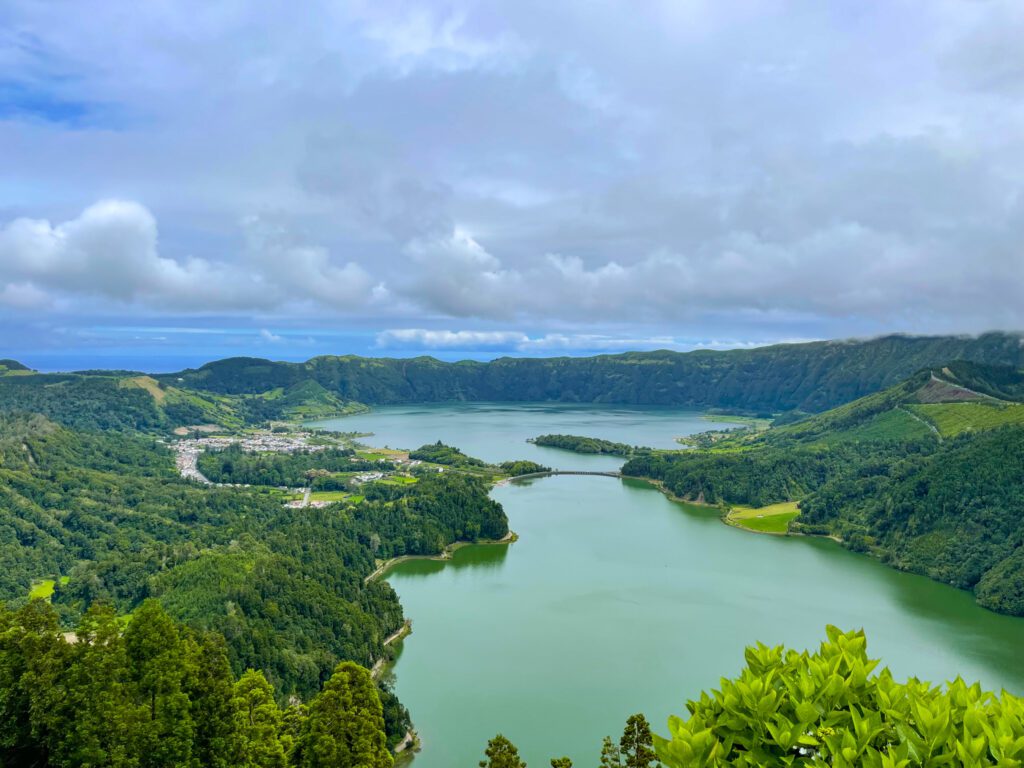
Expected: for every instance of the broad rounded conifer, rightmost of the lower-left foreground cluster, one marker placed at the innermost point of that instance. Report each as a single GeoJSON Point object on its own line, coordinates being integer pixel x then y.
{"type": "Point", "coordinates": [346, 726]}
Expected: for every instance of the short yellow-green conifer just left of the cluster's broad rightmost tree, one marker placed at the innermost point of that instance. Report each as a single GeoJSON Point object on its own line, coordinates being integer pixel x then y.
{"type": "Point", "coordinates": [259, 724]}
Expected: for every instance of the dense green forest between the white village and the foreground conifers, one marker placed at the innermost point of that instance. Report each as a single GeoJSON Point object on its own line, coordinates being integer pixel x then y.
{"type": "Point", "coordinates": [105, 518]}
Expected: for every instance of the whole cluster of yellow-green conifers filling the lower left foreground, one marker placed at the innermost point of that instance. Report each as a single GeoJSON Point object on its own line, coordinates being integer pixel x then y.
{"type": "Point", "coordinates": [156, 695]}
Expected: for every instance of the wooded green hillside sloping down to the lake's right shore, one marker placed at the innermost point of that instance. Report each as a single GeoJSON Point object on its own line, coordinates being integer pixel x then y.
{"type": "Point", "coordinates": [928, 476]}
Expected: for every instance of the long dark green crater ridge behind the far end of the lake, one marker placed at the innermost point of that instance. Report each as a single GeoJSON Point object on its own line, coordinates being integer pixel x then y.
{"type": "Point", "coordinates": [812, 377]}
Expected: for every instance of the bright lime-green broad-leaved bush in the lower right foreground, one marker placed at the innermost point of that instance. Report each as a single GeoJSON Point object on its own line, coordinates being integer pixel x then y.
{"type": "Point", "coordinates": [827, 709]}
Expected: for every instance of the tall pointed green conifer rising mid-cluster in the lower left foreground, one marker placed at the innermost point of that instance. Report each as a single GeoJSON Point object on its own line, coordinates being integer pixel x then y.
{"type": "Point", "coordinates": [158, 666]}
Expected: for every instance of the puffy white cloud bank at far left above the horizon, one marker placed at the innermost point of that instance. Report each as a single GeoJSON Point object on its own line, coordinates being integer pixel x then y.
{"type": "Point", "coordinates": [111, 252]}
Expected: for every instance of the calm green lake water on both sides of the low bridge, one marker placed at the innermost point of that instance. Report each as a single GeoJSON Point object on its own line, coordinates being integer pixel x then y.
{"type": "Point", "coordinates": [616, 601]}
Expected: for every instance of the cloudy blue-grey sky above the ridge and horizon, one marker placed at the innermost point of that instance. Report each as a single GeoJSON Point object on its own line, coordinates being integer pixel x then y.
{"type": "Point", "coordinates": [183, 182]}
